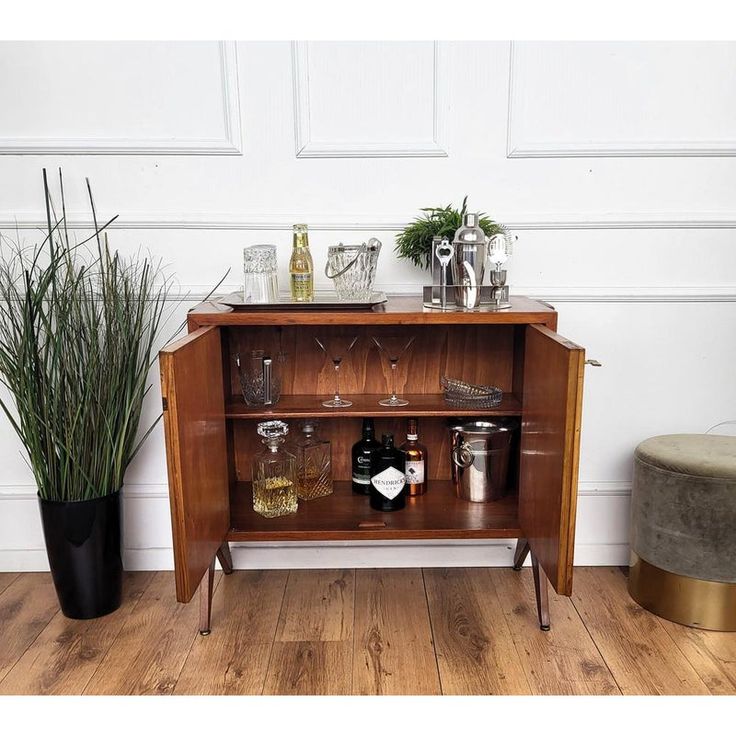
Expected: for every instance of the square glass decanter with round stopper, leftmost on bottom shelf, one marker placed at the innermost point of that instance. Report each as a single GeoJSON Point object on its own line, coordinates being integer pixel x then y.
{"type": "Point", "coordinates": [274, 473]}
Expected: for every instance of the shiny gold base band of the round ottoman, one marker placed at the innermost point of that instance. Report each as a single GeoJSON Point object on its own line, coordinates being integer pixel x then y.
{"type": "Point", "coordinates": [703, 604]}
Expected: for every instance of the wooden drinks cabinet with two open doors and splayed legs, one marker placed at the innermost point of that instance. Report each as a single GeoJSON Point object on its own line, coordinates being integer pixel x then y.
{"type": "Point", "coordinates": [211, 433]}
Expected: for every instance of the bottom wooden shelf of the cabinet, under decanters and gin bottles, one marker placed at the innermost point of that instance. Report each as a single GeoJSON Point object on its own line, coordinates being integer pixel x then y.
{"type": "Point", "coordinates": [344, 515]}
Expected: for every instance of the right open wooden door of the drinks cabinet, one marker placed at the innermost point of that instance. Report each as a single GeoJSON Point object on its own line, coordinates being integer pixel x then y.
{"type": "Point", "coordinates": [550, 445]}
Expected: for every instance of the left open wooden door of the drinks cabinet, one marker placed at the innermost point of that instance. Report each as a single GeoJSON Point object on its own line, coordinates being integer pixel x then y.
{"type": "Point", "coordinates": [196, 452]}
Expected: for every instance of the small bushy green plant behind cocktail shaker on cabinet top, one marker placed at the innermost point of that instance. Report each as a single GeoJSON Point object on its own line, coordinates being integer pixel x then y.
{"type": "Point", "coordinates": [415, 240]}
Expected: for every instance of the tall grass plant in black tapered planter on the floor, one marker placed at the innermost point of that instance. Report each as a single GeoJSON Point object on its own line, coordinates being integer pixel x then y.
{"type": "Point", "coordinates": [78, 327]}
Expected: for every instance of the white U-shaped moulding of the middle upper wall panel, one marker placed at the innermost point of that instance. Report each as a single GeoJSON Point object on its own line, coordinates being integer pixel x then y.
{"type": "Point", "coordinates": [307, 148]}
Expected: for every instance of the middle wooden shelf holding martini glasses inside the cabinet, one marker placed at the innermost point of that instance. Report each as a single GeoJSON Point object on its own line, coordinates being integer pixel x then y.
{"type": "Point", "coordinates": [420, 405]}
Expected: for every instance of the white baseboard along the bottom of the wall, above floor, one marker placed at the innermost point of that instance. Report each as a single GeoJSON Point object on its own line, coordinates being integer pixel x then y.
{"type": "Point", "coordinates": [602, 539]}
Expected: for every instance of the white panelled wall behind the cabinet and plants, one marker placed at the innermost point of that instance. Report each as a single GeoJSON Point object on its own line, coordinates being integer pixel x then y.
{"type": "Point", "coordinates": [613, 162]}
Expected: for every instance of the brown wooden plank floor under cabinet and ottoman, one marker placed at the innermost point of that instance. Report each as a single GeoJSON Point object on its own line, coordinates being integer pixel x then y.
{"type": "Point", "coordinates": [364, 632]}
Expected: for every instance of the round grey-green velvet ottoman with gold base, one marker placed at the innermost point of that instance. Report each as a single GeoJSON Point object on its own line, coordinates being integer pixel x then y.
{"type": "Point", "coordinates": [683, 529]}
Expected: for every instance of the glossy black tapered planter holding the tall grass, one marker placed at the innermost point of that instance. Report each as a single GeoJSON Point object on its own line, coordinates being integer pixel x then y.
{"type": "Point", "coordinates": [83, 546]}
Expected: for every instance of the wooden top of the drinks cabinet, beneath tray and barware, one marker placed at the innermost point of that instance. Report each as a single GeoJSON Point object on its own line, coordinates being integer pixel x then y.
{"type": "Point", "coordinates": [397, 310]}
